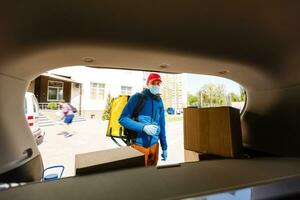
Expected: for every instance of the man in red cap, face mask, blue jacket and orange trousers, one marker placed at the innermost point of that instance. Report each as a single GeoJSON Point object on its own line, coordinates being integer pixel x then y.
{"type": "Point", "coordinates": [149, 125]}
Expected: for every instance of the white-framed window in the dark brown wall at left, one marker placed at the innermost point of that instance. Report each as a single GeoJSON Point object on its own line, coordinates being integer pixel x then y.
{"type": "Point", "coordinates": [55, 91]}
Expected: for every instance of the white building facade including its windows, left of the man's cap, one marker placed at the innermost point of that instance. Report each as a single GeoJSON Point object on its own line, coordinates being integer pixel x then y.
{"type": "Point", "coordinates": [97, 84]}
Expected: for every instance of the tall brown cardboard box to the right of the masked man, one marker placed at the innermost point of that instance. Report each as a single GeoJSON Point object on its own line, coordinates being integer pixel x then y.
{"type": "Point", "coordinates": [213, 130]}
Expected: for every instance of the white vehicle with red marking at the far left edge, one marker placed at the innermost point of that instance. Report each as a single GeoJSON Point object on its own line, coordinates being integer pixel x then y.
{"type": "Point", "coordinates": [31, 108]}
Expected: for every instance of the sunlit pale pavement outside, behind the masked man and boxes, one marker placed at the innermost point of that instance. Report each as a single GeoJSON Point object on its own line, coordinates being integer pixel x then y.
{"type": "Point", "coordinates": [60, 148]}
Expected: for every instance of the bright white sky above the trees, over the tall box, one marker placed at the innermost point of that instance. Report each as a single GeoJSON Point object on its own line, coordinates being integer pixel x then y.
{"type": "Point", "coordinates": [195, 82]}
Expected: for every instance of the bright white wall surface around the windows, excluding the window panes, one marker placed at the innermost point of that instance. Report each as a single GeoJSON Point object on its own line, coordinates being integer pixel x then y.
{"type": "Point", "coordinates": [113, 80]}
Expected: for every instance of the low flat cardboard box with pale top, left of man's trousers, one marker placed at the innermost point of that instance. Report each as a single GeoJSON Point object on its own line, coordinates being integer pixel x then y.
{"type": "Point", "coordinates": [108, 160]}
